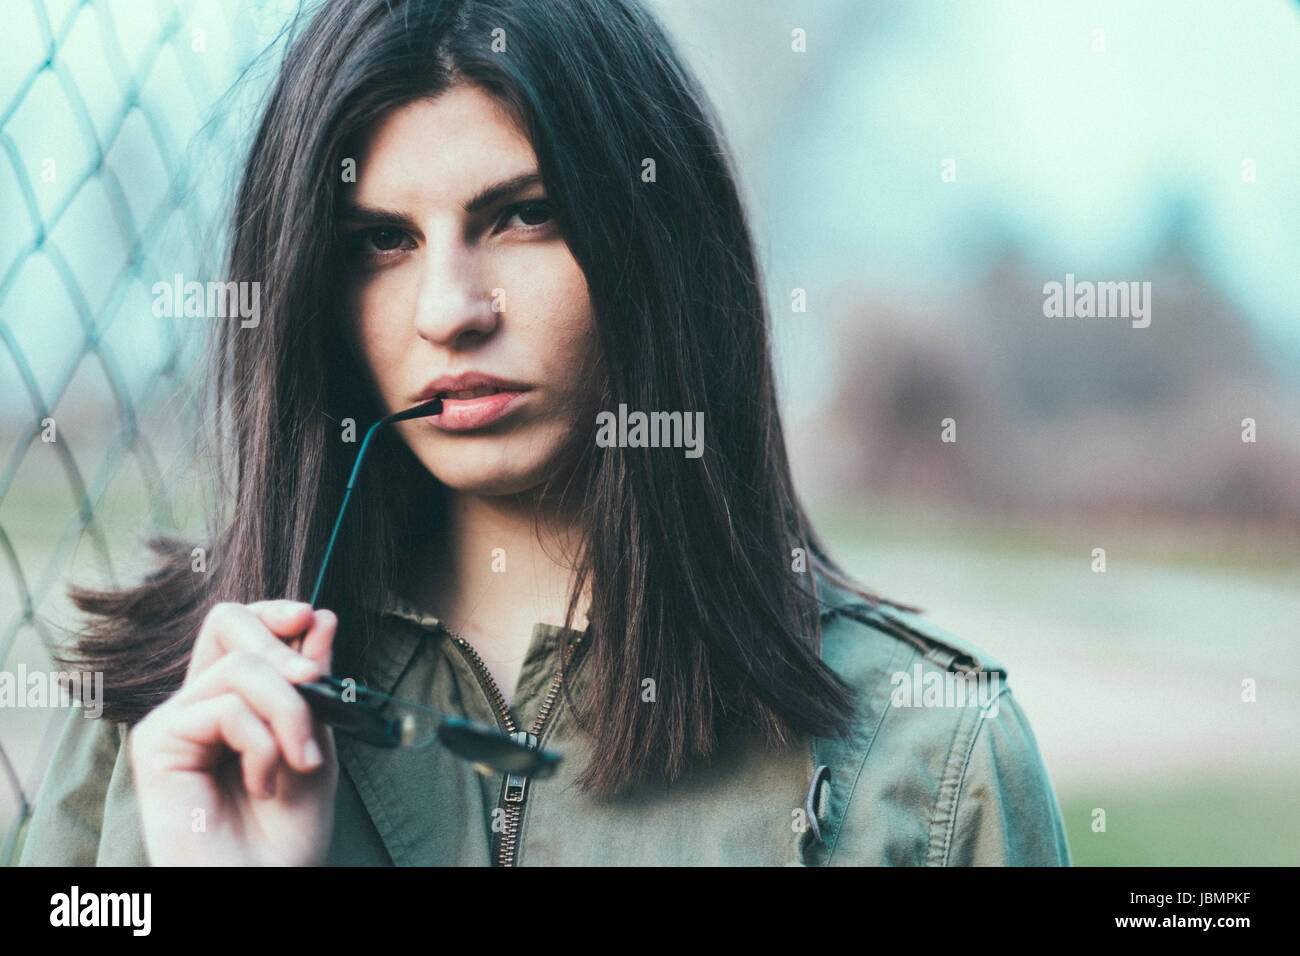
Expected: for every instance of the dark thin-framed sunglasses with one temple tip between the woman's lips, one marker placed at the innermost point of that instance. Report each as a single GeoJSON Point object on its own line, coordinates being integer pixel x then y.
{"type": "Point", "coordinates": [389, 723]}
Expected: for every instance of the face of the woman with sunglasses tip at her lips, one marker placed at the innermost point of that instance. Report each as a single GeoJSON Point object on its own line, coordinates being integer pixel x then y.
{"type": "Point", "coordinates": [461, 287]}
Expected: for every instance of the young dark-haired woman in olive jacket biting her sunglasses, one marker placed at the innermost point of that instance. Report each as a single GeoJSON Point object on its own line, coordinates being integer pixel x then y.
{"type": "Point", "coordinates": [454, 200]}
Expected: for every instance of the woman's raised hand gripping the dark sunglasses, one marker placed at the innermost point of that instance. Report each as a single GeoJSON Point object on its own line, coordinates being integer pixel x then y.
{"type": "Point", "coordinates": [233, 769]}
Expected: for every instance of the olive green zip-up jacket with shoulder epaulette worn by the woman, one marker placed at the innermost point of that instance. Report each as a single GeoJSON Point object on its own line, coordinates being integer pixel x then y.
{"type": "Point", "coordinates": [921, 785]}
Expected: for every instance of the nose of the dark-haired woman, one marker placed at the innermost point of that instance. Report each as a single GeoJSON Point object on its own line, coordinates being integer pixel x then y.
{"type": "Point", "coordinates": [456, 299]}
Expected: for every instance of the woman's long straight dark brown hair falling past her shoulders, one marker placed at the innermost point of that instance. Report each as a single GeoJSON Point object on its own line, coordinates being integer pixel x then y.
{"type": "Point", "coordinates": [688, 559]}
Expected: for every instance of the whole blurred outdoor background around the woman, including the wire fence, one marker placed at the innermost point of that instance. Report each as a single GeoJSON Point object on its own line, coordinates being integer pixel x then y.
{"type": "Point", "coordinates": [916, 172]}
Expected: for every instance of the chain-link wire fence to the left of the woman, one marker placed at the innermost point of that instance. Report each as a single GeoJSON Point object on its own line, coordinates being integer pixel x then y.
{"type": "Point", "coordinates": [120, 127]}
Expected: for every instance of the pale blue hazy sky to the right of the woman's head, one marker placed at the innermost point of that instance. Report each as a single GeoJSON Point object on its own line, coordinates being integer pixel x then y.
{"type": "Point", "coordinates": [1076, 155]}
